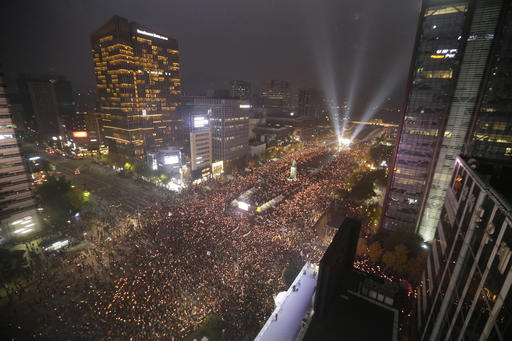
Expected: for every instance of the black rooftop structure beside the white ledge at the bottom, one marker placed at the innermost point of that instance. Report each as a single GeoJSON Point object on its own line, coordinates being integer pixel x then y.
{"type": "Point", "coordinates": [347, 301]}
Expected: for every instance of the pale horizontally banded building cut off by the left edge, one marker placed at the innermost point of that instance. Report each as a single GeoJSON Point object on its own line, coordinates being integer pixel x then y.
{"type": "Point", "coordinates": [18, 215]}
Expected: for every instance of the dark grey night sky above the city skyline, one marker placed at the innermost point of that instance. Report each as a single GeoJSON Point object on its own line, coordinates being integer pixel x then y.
{"type": "Point", "coordinates": [312, 43]}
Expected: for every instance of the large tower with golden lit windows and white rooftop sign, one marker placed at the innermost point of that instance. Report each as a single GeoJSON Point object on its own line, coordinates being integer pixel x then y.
{"type": "Point", "coordinates": [139, 87]}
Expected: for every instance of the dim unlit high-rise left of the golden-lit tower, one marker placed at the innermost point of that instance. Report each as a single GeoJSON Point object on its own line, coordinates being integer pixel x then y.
{"type": "Point", "coordinates": [48, 103]}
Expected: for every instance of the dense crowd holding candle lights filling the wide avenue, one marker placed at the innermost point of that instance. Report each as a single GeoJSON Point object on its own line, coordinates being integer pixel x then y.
{"type": "Point", "coordinates": [160, 272]}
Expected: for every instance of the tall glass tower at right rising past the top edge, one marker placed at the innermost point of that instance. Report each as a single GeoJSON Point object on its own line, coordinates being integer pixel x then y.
{"type": "Point", "coordinates": [453, 63]}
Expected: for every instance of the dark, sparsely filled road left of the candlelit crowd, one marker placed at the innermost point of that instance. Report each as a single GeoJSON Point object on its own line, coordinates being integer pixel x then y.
{"type": "Point", "coordinates": [106, 185]}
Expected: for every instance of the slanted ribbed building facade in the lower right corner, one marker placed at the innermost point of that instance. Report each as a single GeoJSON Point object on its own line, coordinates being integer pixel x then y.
{"type": "Point", "coordinates": [465, 291]}
